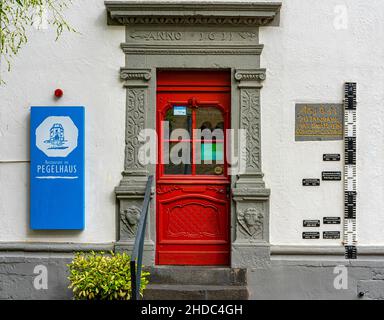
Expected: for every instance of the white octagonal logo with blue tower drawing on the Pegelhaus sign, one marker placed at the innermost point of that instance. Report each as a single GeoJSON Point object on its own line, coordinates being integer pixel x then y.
{"type": "Point", "coordinates": [57, 136]}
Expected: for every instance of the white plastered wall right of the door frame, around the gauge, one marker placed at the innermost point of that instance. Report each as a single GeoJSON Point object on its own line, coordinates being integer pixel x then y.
{"type": "Point", "coordinates": [308, 58]}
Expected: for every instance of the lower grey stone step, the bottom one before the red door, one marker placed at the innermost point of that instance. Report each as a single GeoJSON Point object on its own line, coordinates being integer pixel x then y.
{"type": "Point", "coordinates": [195, 292]}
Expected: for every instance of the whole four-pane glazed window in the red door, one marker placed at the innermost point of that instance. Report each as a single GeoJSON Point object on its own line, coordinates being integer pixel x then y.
{"type": "Point", "coordinates": [208, 142]}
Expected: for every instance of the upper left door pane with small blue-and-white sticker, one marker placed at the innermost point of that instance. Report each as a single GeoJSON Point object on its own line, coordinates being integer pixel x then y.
{"type": "Point", "coordinates": [179, 117]}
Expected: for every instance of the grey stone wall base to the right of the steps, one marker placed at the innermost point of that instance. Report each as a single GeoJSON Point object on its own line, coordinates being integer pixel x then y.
{"type": "Point", "coordinates": [317, 279]}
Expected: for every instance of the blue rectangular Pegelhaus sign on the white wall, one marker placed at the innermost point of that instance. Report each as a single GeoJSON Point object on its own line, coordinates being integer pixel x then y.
{"type": "Point", "coordinates": [57, 168]}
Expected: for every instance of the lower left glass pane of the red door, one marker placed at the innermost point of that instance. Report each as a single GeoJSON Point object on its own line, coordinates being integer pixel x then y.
{"type": "Point", "coordinates": [180, 155]}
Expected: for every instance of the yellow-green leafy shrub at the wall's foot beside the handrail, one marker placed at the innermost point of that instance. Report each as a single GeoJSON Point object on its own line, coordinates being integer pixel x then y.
{"type": "Point", "coordinates": [96, 276]}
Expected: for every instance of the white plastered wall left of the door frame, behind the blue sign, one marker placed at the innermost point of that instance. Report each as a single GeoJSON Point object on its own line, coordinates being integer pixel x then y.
{"type": "Point", "coordinates": [86, 66]}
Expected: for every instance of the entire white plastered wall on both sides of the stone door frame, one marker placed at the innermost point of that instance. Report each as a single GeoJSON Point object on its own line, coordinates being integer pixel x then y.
{"type": "Point", "coordinates": [308, 59]}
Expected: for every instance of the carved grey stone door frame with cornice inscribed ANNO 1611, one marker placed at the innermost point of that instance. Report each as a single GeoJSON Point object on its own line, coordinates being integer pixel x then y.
{"type": "Point", "coordinates": [191, 35]}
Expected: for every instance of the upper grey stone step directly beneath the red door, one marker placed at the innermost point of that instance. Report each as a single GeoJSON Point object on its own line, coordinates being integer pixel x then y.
{"type": "Point", "coordinates": [197, 275]}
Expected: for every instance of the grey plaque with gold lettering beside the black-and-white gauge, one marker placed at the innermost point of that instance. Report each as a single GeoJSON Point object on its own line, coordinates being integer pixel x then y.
{"type": "Point", "coordinates": [317, 122]}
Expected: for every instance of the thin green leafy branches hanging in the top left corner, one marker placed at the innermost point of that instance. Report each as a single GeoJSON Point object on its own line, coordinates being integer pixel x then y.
{"type": "Point", "coordinates": [17, 15]}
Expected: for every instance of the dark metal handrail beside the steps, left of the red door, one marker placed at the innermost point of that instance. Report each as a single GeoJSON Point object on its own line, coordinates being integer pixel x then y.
{"type": "Point", "coordinates": [137, 252]}
